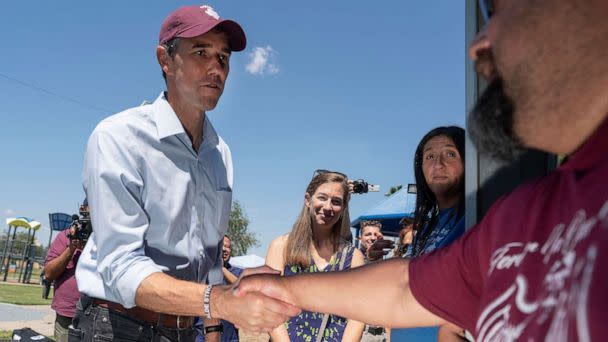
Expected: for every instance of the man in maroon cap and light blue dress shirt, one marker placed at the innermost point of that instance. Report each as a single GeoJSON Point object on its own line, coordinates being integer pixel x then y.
{"type": "Point", "coordinates": [159, 183]}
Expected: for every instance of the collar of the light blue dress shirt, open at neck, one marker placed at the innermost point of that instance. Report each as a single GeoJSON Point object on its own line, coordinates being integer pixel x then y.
{"type": "Point", "coordinates": [168, 124]}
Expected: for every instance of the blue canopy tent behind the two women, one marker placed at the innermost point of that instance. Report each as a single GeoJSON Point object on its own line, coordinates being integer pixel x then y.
{"type": "Point", "coordinates": [389, 212]}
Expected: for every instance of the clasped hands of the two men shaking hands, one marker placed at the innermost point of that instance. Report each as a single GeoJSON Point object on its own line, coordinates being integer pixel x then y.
{"type": "Point", "coordinates": [258, 301]}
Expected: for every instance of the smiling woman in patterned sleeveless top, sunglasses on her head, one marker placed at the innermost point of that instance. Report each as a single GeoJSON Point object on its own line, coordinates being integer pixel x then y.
{"type": "Point", "coordinates": [318, 243]}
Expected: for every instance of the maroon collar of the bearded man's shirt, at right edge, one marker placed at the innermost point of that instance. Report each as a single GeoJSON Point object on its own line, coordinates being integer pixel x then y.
{"type": "Point", "coordinates": [592, 152]}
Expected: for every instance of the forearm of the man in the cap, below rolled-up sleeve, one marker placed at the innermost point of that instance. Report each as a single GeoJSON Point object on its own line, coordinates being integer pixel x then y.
{"type": "Point", "coordinates": [162, 293]}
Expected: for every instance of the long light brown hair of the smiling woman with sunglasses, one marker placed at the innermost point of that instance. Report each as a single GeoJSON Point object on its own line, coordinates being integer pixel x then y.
{"type": "Point", "coordinates": [297, 251]}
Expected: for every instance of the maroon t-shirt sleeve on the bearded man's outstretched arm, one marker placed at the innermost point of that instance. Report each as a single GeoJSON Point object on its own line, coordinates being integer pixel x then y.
{"type": "Point", "coordinates": [448, 282]}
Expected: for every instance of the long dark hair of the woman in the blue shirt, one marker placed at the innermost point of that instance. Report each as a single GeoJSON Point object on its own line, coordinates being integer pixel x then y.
{"type": "Point", "coordinates": [427, 211]}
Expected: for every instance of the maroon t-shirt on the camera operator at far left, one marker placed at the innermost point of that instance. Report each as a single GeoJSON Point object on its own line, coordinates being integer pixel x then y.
{"type": "Point", "coordinates": [66, 293]}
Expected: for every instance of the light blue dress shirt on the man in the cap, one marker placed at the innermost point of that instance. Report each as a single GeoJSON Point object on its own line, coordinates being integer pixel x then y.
{"type": "Point", "coordinates": [156, 205]}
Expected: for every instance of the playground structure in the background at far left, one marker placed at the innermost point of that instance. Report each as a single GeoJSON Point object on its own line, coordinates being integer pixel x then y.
{"type": "Point", "coordinates": [18, 256]}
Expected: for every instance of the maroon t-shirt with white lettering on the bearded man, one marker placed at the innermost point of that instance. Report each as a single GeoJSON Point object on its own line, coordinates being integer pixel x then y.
{"type": "Point", "coordinates": [536, 267]}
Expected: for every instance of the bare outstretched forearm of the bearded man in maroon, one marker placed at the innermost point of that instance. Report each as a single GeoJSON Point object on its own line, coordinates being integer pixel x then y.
{"type": "Point", "coordinates": [334, 292]}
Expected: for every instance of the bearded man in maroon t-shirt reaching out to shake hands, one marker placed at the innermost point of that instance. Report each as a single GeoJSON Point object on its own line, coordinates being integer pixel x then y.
{"type": "Point", "coordinates": [533, 268]}
